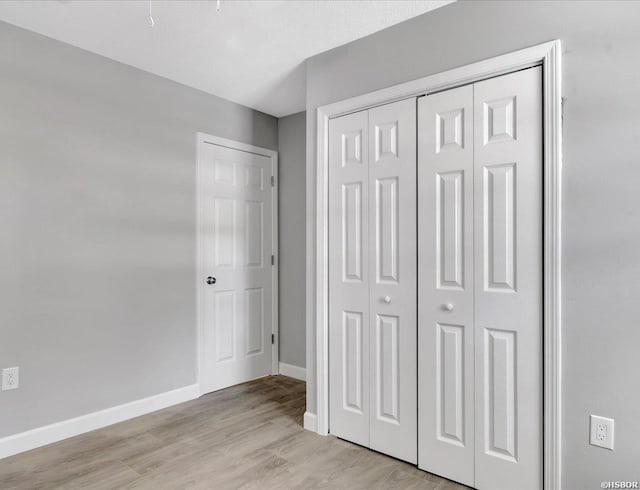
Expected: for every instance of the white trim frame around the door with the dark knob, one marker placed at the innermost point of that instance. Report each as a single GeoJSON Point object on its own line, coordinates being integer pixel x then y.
{"type": "Point", "coordinates": [204, 139]}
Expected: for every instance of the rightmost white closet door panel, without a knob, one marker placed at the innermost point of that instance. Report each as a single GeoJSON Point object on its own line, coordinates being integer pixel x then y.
{"type": "Point", "coordinates": [508, 281]}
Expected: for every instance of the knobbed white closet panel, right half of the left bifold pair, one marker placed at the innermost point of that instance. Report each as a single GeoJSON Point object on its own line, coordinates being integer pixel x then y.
{"type": "Point", "coordinates": [393, 279]}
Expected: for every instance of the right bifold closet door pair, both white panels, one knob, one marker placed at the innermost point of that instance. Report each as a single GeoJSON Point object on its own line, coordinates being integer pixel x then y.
{"type": "Point", "coordinates": [480, 282]}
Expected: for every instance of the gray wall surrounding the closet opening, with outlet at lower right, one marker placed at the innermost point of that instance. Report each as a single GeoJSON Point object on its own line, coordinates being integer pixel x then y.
{"type": "Point", "coordinates": [601, 208]}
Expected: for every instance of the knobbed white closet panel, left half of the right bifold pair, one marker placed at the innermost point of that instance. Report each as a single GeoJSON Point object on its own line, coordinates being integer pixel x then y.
{"type": "Point", "coordinates": [445, 324]}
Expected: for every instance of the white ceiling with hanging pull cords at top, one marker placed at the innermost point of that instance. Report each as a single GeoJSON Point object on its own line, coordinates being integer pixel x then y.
{"type": "Point", "coordinates": [250, 52]}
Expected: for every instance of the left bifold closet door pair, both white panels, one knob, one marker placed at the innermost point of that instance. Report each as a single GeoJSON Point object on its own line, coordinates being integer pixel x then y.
{"type": "Point", "coordinates": [373, 280]}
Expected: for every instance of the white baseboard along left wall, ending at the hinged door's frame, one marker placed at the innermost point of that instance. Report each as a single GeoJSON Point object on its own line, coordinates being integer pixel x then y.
{"type": "Point", "coordinates": [48, 434]}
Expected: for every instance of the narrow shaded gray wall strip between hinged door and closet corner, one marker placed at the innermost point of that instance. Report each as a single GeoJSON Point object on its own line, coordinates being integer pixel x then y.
{"type": "Point", "coordinates": [291, 241]}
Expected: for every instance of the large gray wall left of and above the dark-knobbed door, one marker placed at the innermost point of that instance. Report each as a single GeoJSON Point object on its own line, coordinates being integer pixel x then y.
{"type": "Point", "coordinates": [97, 212]}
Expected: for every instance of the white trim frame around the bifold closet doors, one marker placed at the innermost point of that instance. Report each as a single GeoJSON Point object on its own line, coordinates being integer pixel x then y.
{"type": "Point", "coordinates": [548, 55]}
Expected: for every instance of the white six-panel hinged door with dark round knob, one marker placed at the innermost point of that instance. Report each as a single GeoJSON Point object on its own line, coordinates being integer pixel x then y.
{"type": "Point", "coordinates": [236, 231]}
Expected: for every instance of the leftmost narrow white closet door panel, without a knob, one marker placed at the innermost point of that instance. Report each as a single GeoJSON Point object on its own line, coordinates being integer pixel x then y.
{"type": "Point", "coordinates": [349, 278]}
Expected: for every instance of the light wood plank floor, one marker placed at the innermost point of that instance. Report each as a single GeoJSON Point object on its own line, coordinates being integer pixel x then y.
{"type": "Point", "coordinates": [248, 436]}
